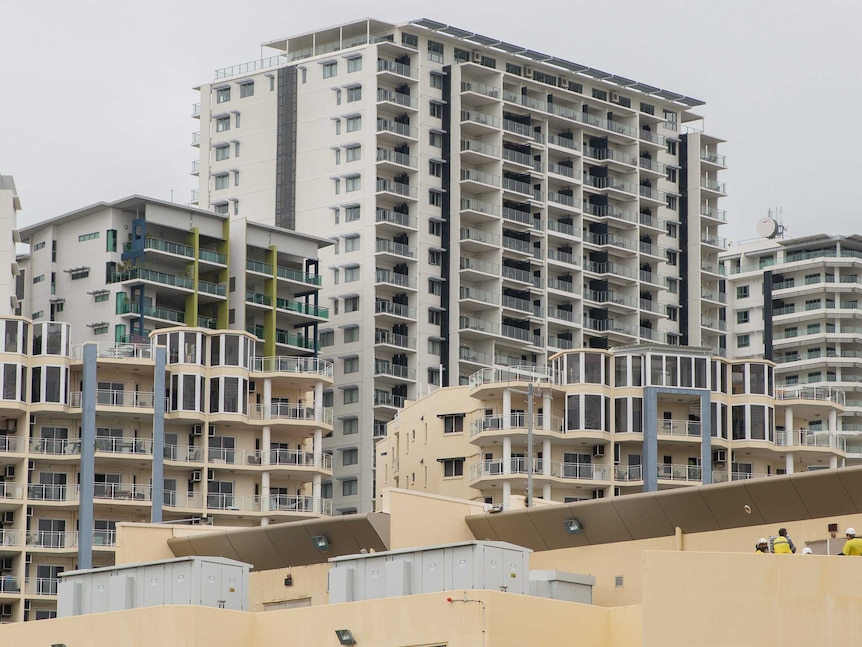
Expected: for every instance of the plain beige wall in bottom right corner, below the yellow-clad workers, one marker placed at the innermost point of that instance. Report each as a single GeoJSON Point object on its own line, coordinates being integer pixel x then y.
{"type": "Point", "coordinates": [724, 599]}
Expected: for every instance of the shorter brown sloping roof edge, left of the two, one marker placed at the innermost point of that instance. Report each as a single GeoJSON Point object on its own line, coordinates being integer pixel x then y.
{"type": "Point", "coordinates": [289, 544]}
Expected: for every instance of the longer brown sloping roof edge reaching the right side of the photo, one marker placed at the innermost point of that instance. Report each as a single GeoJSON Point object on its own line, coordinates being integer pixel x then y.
{"type": "Point", "coordinates": [704, 508]}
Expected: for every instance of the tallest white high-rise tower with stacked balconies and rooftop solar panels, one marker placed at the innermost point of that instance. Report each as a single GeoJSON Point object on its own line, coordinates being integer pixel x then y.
{"type": "Point", "coordinates": [488, 204]}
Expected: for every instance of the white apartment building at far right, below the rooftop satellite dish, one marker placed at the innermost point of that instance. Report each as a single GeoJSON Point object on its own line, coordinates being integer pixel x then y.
{"type": "Point", "coordinates": [796, 301]}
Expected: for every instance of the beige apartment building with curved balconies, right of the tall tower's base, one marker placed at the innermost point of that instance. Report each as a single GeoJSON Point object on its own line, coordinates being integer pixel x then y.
{"type": "Point", "coordinates": [611, 423]}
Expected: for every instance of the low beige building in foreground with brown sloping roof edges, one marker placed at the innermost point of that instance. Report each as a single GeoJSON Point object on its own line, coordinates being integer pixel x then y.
{"type": "Point", "coordinates": [668, 568]}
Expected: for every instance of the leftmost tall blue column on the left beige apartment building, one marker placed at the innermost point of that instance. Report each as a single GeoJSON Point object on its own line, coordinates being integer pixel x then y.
{"type": "Point", "coordinates": [88, 458]}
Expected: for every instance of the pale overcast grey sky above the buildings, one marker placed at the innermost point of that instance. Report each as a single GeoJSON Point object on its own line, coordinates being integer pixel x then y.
{"type": "Point", "coordinates": [96, 94]}
